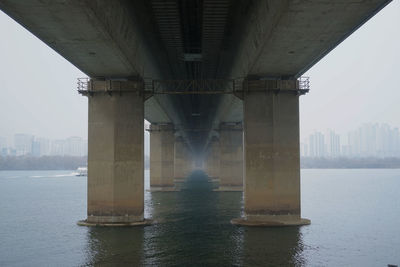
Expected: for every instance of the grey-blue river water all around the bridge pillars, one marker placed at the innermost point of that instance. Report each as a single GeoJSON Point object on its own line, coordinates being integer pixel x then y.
{"type": "Point", "coordinates": [355, 222]}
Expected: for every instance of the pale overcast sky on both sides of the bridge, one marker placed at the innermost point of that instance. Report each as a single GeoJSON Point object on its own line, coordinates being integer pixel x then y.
{"type": "Point", "coordinates": [355, 83]}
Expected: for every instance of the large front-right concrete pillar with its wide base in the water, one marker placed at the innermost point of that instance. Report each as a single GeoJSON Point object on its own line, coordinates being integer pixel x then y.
{"type": "Point", "coordinates": [271, 154]}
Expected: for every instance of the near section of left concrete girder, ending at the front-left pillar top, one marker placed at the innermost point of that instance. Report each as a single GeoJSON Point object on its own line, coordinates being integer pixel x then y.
{"type": "Point", "coordinates": [100, 37]}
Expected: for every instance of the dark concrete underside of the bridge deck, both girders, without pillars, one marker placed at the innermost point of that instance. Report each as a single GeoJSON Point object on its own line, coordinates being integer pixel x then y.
{"type": "Point", "coordinates": [241, 38]}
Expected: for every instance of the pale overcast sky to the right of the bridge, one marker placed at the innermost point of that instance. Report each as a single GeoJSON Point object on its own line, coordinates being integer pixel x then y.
{"type": "Point", "coordinates": [357, 82]}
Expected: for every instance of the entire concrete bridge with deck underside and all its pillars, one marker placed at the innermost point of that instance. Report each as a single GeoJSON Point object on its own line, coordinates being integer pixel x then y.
{"type": "Point", "coordinates": [219, 81]}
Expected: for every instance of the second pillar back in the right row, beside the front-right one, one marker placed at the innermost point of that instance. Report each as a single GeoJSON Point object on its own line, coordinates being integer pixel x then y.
{"type": "Point", "coordinates": [231, 157]}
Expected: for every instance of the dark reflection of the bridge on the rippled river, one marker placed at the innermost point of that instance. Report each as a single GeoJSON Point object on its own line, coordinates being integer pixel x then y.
{"type": "Point", "coordinates": [193, 228]}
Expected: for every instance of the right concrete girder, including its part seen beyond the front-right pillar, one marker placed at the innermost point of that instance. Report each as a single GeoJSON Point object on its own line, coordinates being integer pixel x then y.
{"type": "Point", "coordinates": [281, 39]}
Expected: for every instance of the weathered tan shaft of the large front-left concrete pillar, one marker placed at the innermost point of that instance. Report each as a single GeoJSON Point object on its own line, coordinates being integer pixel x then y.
{"type": "Point", "coordinates": [115, 155]}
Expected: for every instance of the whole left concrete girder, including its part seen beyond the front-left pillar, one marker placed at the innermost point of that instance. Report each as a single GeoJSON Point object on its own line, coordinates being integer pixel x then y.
{"type": "Point", "coordinates": [104, 39]}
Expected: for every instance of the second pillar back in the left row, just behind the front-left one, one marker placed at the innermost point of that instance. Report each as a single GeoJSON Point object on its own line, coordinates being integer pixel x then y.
{"type": "Point", "coordinates": [162, 142]}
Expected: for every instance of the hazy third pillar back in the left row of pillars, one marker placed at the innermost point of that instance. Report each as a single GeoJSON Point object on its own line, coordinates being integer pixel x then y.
{"type": "Point", "coordinates": [183, 163]}
